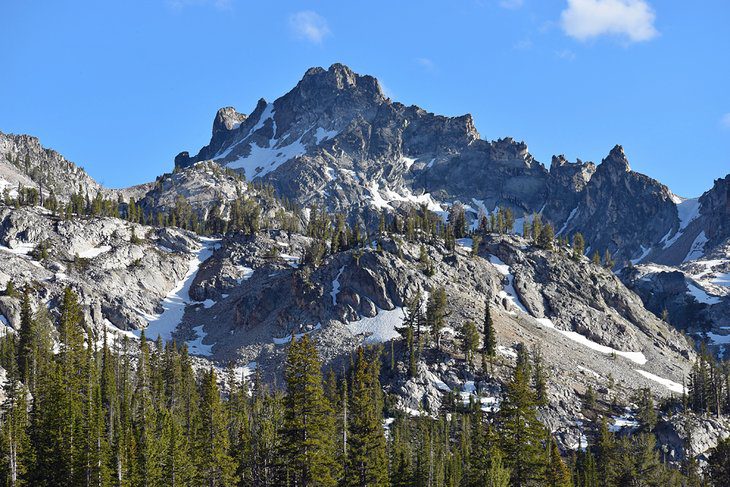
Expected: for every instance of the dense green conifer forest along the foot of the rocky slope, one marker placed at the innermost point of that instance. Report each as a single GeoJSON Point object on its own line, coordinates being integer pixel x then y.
{"type": "Point", "coordinates": [92, 410]}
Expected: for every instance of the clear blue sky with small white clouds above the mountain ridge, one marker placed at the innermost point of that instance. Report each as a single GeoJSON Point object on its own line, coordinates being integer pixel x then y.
{"type": "Point", "coordinates": [121, 87]}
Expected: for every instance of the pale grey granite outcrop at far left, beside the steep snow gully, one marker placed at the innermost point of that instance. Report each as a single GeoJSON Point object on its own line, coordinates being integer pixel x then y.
{"type": "Point", "coordinates": [120, 279]}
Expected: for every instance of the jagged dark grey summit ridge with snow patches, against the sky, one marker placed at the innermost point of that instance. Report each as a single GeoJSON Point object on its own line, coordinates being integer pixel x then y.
{"type": "Point", "coordinates": [336, 141]}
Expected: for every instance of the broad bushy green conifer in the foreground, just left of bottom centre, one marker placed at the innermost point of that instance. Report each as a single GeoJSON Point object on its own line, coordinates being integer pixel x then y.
{"type": "Point", "coordinates": [308, 422]}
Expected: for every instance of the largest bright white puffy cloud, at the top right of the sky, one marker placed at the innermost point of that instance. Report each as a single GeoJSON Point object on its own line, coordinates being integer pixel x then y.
{"type": "Point", "coordinates": [631, 19]}
